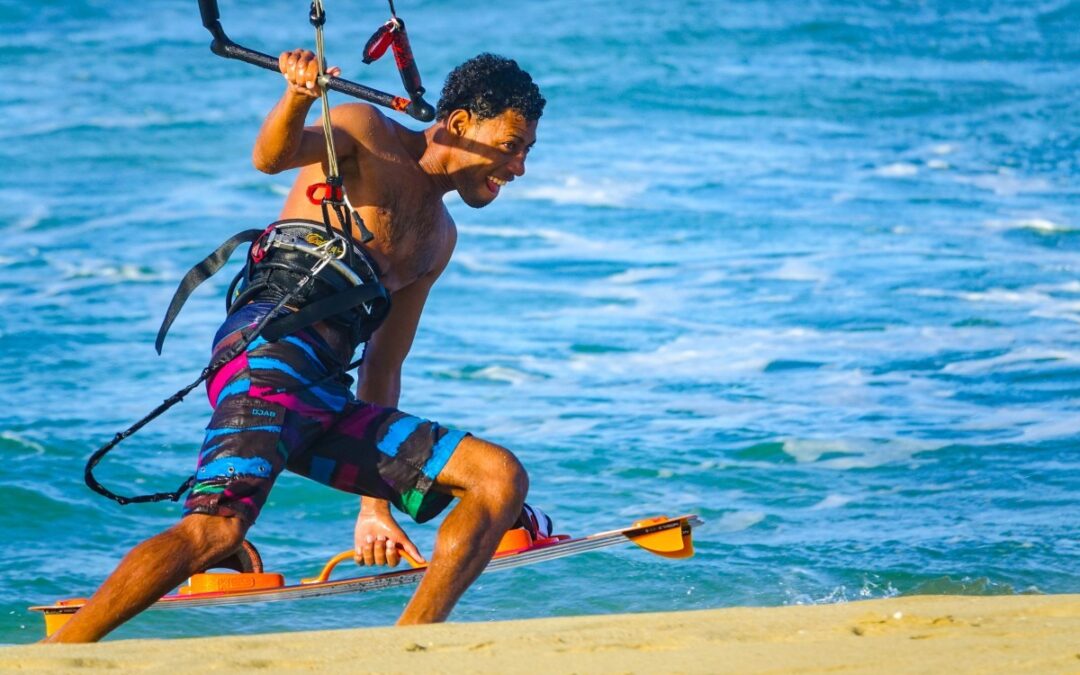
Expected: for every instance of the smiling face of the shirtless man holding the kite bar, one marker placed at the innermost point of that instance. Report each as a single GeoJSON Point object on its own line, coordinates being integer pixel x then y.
{"type": "Point", "coordinates": [490, 154]}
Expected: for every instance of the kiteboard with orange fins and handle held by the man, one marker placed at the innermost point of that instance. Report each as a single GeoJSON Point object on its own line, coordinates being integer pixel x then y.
{"type": "Point", "coordinates": [663, 536]}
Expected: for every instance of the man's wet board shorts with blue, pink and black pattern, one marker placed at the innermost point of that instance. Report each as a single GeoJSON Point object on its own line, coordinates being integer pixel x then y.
{"type": "Point", "coordinates": [280, 406]}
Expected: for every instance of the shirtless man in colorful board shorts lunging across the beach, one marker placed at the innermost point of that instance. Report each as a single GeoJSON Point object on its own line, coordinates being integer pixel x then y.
{"type": "Point", "coordinates": [485, 126]}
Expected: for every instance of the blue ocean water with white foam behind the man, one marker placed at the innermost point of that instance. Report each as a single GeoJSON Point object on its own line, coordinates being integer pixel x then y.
{"type": "Point", "coordinates": [811, 271]}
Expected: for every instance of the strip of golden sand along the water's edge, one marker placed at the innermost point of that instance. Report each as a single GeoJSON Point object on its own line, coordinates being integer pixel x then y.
{"type": "Point", "coordinates": [912, 634]}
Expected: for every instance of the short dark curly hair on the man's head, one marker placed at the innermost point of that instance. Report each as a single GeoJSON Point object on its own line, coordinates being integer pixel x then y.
{"type": "Point", "coordinates": [488, 86]}
